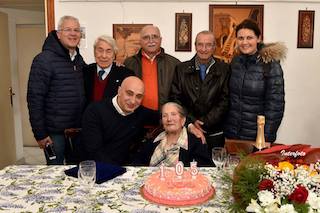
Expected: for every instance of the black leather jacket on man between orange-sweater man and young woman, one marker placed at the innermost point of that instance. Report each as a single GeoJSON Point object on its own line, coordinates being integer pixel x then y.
{"type": "Point", "coordinates": [203, 100]}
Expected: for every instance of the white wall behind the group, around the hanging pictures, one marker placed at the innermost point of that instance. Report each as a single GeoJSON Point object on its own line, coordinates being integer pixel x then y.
{"type": "Point", "coordinates": [302, 78]}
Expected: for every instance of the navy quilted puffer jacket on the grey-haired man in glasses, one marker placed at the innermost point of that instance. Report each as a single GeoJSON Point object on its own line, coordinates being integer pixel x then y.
{"type": "Point", "coordinates": [55, 89]}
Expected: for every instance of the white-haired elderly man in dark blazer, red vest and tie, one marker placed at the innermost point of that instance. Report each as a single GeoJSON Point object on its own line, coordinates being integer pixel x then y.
{"type": "Point", "coordinates": [102, 79]}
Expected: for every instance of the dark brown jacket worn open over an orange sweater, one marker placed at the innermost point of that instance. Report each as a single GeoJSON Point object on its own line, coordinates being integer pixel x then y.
{"type": "Point", "coordinates": [166, 65]}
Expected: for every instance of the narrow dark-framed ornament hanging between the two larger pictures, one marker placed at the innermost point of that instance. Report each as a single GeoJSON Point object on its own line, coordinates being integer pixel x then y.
{"type": "Point", "coordinates": [183, 32]}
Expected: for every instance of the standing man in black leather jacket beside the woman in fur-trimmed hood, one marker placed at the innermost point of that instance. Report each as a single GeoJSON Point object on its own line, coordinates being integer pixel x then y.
{"type": "Point", "coordinates": [201, 86]}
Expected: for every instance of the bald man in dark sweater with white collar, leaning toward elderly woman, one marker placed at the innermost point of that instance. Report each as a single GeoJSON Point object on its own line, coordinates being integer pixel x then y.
{"type": "Point", "coordinates": [111, 127]}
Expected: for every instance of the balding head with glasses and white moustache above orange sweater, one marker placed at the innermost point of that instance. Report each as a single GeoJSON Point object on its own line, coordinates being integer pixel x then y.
{"type": "Point", "coordinates": [150, 40]}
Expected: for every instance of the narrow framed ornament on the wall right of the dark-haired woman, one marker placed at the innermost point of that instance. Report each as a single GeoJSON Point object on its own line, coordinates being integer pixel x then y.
{"type": "Point", "coordinates": [305, 29]}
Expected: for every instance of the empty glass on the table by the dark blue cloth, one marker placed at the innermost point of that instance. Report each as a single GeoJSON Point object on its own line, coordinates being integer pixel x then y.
{"type": "Point", "coordinates": [87, 173]}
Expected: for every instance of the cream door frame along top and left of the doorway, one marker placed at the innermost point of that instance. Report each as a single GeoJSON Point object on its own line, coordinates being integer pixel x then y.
{"type": "Point", "coordinates": [16, 17]}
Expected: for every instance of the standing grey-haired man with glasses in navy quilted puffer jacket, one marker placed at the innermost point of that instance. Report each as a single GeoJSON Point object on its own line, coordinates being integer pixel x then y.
{"type": "Point", "coordinates": [55, 89]}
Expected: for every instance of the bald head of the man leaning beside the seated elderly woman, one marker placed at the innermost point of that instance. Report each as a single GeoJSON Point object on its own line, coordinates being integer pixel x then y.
{"type": "Point", "coordinates": [130, 94]}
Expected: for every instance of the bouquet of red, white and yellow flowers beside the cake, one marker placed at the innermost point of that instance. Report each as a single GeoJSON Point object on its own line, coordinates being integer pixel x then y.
{"type": "Point", "coordinates": [262, 187]}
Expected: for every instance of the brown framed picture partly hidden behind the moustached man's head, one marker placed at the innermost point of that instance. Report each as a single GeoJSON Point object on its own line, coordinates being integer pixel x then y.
{"type": "Point", "coordinates": [127, 37]}
